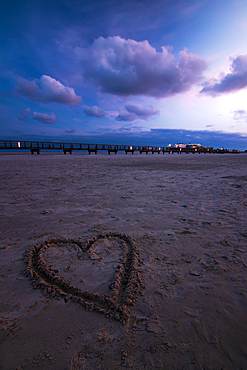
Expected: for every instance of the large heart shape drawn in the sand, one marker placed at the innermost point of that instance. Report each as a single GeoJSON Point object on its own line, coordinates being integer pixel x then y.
{"type": "Point", "coordinates": [101, 274]}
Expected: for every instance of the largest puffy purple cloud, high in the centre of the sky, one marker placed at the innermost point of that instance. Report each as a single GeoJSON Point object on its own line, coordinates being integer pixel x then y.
{"type": "Point", "coordinates": [127, 67]}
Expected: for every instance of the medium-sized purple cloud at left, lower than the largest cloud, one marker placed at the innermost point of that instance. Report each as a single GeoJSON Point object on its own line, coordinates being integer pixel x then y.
{"type": "Point", "coordinates": [46, 90]}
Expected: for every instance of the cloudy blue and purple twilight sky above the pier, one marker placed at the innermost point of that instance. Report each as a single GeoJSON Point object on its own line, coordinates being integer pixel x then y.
{"type": "Point", "coordinates": [151, 72]}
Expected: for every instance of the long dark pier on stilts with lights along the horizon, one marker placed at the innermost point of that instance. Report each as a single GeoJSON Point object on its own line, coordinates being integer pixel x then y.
{"type": "Point", "coordinates": [37, 146]}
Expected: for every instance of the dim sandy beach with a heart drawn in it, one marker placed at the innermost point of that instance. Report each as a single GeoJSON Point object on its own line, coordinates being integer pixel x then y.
{"type": "Point", "coordinates": [123, 261]}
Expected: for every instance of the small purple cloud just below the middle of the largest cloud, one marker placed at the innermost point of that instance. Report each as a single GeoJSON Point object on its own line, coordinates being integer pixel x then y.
{"type": "Point", "coordinates": [135, 111]}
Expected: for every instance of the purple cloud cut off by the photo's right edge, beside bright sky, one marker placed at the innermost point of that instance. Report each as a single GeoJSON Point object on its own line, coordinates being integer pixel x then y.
{"type": "Point", "coordinates": [231, 82]}
